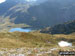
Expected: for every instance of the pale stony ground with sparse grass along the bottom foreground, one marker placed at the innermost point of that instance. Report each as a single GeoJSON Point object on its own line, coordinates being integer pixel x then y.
{"type": "Point", "coordinates": [33, 51]}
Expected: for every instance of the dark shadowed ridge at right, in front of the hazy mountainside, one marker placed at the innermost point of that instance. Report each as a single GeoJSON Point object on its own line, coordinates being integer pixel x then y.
{"type": "Point", "coordinates": [66, 28]}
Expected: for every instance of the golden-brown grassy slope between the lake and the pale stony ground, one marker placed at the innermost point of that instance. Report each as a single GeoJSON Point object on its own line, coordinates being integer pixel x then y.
{"type": "Point", "coordinates": [21, 39]}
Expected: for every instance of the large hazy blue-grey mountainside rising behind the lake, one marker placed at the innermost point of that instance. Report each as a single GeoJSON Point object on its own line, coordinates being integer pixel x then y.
{"type": "Point", "coordinates": [39, 14]}
